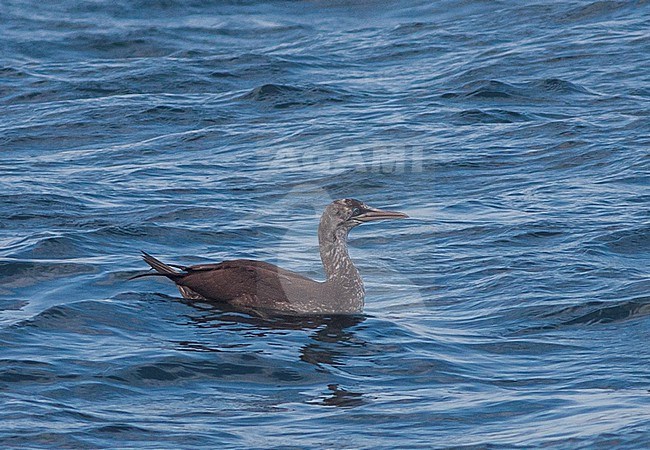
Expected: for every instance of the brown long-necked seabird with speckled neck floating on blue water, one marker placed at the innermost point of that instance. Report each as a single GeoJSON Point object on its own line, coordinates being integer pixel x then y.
{"type": "Point", "coordinates": [257, 285]}
